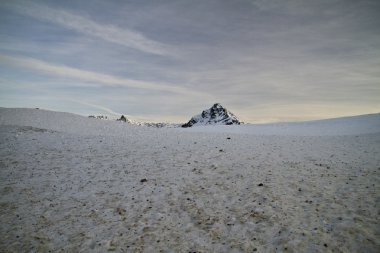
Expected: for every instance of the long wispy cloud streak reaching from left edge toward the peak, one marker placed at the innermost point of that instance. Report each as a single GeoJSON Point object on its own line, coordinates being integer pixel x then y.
{"type": "Point", "coordinates": [89, 76]}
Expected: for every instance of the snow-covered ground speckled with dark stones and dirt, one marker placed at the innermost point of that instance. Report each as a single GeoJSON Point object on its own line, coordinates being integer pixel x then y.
{"type": "Point", "coordinates": [75, 184]}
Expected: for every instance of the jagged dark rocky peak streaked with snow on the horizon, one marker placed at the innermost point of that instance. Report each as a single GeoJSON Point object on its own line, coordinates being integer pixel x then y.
{"type": "Point", "coordinates": [216, 115]}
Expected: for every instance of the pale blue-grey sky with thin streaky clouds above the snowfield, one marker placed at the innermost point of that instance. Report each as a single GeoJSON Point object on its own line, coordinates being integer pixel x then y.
{"type": "Point", "coordinates": [165, 61]}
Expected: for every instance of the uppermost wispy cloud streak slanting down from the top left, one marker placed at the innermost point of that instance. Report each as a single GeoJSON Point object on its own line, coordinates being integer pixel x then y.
{"type": "Point", "coordinates": [122, 36]}
